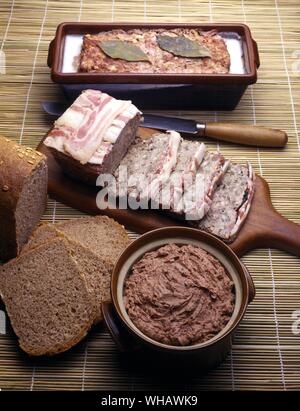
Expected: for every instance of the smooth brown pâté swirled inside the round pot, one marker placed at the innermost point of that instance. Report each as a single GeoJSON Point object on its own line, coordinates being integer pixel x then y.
{"type": "Point", "coordinates": [179, 295]}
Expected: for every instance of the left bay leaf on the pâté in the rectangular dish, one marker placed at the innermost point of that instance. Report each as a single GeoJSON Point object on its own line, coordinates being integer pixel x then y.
{"type": "Point", "coordinates": [118, 49]}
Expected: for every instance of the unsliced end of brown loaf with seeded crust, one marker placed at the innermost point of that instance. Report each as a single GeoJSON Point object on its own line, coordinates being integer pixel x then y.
{"type": "Point", "coordinates": [23, 195]}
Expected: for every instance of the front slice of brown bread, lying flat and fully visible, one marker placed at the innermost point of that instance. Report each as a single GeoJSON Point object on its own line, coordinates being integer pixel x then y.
{"type": "Point", "coordinates": [47, 299]}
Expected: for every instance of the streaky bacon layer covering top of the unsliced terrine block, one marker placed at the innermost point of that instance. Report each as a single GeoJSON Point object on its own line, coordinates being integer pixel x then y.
{"type": "Point", "coordinates": [91, 121]}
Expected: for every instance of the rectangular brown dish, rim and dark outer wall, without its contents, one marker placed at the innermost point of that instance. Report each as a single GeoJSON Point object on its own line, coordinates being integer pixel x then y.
{"type": "Point", "coordinates": [209, 91]}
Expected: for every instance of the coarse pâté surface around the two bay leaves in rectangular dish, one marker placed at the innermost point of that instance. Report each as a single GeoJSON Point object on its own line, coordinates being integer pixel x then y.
{"type": "Point", "coordinates": [93, 59]}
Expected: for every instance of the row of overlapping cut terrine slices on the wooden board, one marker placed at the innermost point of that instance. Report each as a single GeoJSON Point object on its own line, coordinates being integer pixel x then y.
{"type": "Point", "coordinates": [180, 177]}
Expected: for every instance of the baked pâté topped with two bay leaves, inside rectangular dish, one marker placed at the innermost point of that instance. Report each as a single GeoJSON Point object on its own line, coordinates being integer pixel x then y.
{"type": "Point", "coordinates": [178, 50]}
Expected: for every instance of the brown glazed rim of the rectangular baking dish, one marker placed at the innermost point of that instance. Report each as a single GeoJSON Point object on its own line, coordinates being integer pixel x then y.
{"type": "Point", "coordinates": [56, 49]}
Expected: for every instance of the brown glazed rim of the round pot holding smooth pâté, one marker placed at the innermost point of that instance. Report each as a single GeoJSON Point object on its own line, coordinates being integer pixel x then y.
{"type": "Point", "coordinates": [247, 291]}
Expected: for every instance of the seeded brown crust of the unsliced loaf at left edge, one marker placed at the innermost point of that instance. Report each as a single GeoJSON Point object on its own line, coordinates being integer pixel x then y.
{"type": "Point", "coordinates": [17, 165]}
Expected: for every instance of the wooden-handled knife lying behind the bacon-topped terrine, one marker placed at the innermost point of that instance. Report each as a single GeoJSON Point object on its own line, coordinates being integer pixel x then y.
{"type": "Point", "coordinates": [235, 133]}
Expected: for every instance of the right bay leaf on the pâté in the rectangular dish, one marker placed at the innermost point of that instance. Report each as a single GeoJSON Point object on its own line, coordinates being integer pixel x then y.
{"type": "Point", "coordinates": [182, 46]}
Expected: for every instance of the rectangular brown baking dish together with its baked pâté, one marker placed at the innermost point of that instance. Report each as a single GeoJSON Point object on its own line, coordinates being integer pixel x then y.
{"type": "Point", "coordinates": [166, 81]}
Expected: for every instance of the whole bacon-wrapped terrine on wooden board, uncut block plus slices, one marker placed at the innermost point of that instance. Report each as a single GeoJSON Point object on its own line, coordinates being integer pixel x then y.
{"type": "Point", "coordinates": [98, 135]}
